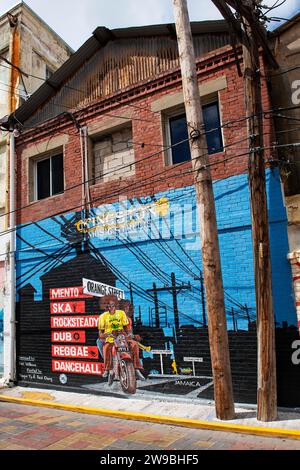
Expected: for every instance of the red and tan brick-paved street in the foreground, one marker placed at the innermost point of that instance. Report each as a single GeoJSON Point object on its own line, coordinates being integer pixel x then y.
{"type": "Point", "coordinates": [32, 428]}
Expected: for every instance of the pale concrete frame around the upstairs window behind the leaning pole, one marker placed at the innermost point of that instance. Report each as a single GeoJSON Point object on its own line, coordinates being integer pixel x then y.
{"type": "Point", "coordinates": [180, 110]}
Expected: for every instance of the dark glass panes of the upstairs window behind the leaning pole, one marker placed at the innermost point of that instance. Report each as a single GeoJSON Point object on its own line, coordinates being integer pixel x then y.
{"type": "Point", "coordinates": [179, 132]}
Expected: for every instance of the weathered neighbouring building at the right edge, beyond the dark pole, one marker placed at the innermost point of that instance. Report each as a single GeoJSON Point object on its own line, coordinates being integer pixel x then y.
{"type": "Point", "coordinates": [286, 94]}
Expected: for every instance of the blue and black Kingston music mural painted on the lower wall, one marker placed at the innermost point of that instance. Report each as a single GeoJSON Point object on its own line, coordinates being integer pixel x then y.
{"type": "Point", "coordinates": [147, 252]}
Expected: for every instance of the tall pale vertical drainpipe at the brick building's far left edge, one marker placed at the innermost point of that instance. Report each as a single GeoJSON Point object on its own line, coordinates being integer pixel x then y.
{"type": "Point", "coordinates": [12, 250]}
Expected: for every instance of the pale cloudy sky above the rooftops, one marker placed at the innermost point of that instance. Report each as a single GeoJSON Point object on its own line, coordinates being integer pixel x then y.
{"type": "Point", "coordinates": [75, 20]}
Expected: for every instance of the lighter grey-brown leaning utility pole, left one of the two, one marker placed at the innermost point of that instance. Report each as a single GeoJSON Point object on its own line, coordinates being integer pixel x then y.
{"type": "Point", "coordinates": [218, 338]}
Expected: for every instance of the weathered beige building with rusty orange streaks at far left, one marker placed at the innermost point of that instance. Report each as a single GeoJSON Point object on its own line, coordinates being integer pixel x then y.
{"type": "Point", "coordinates": [29, 45]}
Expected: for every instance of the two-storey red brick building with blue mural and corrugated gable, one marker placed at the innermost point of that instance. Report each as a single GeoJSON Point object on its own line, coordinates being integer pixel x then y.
{"type": "Point", "coordinates": [106, 189]}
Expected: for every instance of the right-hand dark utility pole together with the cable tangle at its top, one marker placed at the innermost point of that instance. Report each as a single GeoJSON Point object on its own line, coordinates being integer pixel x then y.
{"type": "Point", "coordinates": [248, 31]}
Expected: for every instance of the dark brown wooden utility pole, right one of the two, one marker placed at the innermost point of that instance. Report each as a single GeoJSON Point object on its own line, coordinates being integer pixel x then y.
{"type": "Point", "coordinates": [266, 387]}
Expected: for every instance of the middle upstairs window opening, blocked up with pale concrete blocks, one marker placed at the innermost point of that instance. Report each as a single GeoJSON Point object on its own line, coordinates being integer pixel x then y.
{"type": "Point", "coordinates": [113, 155]}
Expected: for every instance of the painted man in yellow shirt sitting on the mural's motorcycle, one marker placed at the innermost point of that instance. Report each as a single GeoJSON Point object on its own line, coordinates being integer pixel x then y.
{"type": "Point", "coordinates": [111, 323]}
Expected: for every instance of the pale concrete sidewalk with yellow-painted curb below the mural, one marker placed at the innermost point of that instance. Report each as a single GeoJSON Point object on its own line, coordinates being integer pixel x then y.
{"type": "Point", "coordinates": [192, 413]}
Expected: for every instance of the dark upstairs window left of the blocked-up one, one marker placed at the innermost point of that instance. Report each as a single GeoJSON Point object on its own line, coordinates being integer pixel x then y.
{"type": "Point", "coordinates": [49, 176]}
